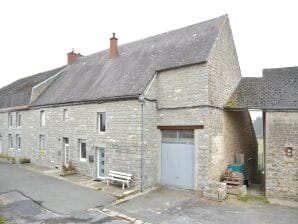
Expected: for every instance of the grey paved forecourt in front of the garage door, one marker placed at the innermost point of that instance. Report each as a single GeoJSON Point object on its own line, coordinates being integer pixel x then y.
{"type": "Point", "coordinates": [168, 206]}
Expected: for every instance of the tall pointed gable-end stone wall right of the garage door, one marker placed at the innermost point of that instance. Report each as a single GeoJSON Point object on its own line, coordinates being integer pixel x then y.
{"type": "Point", "coordinates": [224, 76]}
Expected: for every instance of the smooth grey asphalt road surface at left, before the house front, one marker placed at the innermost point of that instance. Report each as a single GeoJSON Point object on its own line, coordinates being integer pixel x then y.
{"type": "Point", "coordinates": [54, 194]}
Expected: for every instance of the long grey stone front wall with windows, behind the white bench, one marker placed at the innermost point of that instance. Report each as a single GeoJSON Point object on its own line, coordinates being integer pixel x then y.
{"type": "Point", "coordinates": [122, 138]}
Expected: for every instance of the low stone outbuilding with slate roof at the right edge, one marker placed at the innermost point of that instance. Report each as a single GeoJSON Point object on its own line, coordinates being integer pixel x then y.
{"type": "Point", "coordinates": [276, 94]}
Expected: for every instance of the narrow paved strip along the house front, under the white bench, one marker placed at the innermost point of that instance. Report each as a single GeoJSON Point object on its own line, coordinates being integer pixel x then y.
{"type": "Point", "coordinates": [84, 181]}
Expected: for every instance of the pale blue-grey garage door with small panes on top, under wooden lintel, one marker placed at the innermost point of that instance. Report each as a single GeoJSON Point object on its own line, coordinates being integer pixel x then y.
{"type": "Point", "coordinates": [177, 158]}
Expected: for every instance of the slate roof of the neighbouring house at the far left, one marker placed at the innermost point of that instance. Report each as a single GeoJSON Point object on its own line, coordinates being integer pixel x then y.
{"type": "Point", "coordinates": [18, 93]}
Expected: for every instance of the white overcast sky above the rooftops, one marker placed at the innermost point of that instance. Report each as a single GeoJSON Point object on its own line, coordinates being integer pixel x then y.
{"type": "Point", "coordinates": [35, 35]}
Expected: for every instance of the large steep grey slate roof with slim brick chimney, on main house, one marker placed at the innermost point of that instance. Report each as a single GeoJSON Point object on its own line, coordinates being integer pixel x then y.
{"type": "Point", "coordinates": [96, 77]}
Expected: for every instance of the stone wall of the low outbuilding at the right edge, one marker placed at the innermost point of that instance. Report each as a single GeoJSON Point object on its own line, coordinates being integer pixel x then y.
{"type": "Point", "coordinates": [281, 169]}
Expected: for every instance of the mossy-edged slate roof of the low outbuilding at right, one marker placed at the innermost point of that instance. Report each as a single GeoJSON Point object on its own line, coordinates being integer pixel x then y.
{"type": "Point", "coordinates": [276, 90]}
